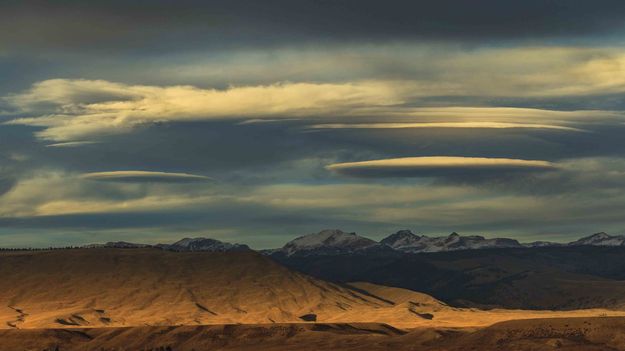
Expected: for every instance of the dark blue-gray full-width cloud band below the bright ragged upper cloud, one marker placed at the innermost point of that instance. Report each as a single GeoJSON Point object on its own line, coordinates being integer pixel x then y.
{"type": "Point", "coordinates": [266, 152]}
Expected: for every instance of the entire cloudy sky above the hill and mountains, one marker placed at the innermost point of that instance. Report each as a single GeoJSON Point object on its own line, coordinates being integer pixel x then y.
{"type": "Point", "coordinates": [260, 121]}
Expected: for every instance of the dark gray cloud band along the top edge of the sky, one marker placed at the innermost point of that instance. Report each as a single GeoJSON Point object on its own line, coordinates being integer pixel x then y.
{"type": "Point", "coordinates": [162, 24]}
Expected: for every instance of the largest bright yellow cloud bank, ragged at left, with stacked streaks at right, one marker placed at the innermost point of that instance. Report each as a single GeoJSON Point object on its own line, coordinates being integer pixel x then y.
{"type": "Point", "coordinates": [79, 110]}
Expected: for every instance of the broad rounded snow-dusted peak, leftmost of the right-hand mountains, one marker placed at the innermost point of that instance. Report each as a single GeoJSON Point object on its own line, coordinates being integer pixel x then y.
{"type": "Point", "coordinates": [328, 241]}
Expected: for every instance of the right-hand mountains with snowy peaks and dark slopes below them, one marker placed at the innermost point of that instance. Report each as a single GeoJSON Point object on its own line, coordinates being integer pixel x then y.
{"type": "Point", "coordinates": [472, 271]}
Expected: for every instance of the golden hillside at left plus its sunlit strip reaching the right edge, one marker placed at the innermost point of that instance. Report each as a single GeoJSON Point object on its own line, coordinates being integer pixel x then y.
{"type": "Point", "coordinates": [105, 287]}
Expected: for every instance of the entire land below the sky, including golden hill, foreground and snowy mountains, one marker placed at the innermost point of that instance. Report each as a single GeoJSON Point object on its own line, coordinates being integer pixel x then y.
{"type": "Point", "coordinates": [222, 296]}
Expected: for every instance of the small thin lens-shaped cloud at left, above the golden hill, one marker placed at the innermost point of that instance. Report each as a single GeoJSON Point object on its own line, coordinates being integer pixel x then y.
{"type": "Point", "coordinates": [144, 176]}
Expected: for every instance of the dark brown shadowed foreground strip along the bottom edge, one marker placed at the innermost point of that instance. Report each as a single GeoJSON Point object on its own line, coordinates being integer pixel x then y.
{"type": "Point", "coordinates": [572, 334]}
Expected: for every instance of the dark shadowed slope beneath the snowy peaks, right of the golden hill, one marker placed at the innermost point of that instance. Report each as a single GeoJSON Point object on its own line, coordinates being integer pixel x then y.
{"type": "Point", "coordinates": [560, 278]}
